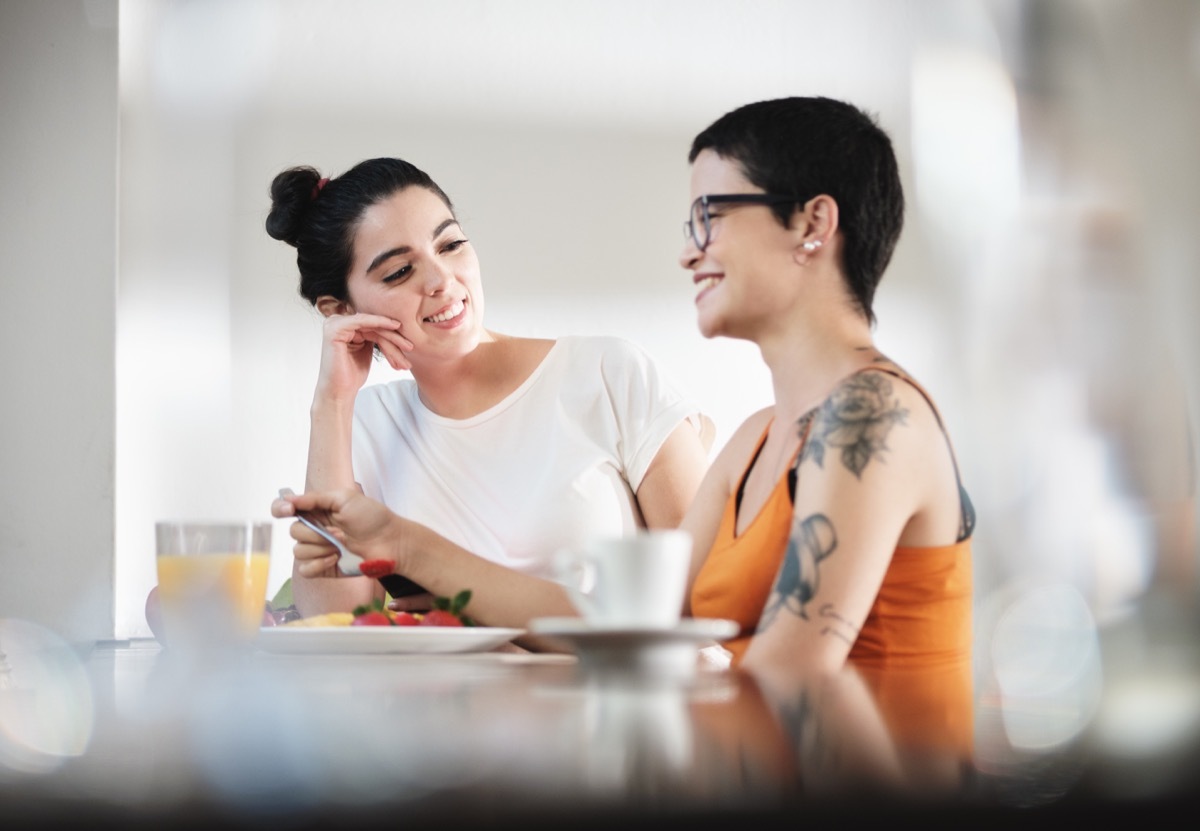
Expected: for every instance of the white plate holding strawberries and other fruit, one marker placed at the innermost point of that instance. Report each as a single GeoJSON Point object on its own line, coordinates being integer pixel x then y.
{"type": "Point", "coordinates": [382, 639]}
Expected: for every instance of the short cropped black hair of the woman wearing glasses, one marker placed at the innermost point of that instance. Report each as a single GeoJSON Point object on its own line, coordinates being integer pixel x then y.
{"type": "Point", "coordinates": [812, 146]}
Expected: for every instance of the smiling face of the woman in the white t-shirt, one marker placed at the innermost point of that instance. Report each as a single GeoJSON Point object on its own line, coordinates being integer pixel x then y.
{"type": "Point", "coordinates": [413, 264]}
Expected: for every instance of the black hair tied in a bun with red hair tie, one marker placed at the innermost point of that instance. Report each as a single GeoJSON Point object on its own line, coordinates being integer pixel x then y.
{"type": "Point", "coordinates": [321, 218]}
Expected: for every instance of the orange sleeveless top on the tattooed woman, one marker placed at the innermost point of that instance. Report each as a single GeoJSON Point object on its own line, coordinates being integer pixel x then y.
{"type": "Point", "coordinates": [921, 619]}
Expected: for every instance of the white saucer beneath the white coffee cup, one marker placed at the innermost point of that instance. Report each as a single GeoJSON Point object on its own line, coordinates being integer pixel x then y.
{"type": "Point", "coordinates": [673, 650]}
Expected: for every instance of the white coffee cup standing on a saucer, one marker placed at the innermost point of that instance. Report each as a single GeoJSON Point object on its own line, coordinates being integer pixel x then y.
{"type": "Point", "coordinates": [637, 582]}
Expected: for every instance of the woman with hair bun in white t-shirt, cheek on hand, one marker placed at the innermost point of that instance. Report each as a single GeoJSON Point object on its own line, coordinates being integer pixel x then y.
{"type": "Point", "coordinates": [499, 450]}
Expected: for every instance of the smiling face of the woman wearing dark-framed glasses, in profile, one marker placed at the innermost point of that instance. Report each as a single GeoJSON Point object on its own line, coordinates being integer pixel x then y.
{"type": "Point", "coordinates": [741, 274]}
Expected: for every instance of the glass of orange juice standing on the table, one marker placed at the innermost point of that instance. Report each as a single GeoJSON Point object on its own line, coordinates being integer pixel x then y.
{"type": "Point", "coordinates": [212, 582]}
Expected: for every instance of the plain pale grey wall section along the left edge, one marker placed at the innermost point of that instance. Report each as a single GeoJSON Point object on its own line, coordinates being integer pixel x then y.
{"type": "Point", "coordinates": [58, 234]}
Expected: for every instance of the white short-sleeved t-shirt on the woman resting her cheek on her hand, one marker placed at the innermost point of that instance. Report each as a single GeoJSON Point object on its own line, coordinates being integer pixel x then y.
{"type": "Point", "coordinates": [553, 464]}
